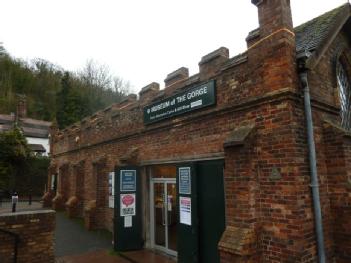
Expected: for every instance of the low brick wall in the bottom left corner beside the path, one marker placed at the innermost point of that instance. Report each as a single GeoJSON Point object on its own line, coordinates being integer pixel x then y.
{"type": "Point", "coordinates": [36, 236]}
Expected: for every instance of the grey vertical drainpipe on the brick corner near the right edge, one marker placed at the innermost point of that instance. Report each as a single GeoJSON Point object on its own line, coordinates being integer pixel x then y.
{"type": "Point", "coordinates": [313, 168]}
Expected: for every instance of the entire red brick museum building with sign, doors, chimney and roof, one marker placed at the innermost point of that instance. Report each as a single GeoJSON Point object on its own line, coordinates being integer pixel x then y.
{"type": "Point", "coordinates": [222, 166]}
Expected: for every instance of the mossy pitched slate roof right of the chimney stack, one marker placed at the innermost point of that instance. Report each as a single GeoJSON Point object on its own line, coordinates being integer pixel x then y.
{"type": "Point", "coordinates": [312, 33]}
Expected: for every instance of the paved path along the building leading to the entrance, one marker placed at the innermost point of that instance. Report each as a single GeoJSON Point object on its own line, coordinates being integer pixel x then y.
{"type": "Point", "coordinates": [75, 244]}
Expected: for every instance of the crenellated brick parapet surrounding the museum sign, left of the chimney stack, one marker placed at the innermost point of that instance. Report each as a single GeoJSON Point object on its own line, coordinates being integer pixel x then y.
{"type": "Point", "coordinates": [234, 82]}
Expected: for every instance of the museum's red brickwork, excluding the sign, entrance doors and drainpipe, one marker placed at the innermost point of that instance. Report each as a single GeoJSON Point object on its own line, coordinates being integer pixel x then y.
{"type": "Point", "coordinates": [269, 210]}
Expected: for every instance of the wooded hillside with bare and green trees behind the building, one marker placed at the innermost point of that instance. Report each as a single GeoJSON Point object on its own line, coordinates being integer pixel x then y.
{"type": "Point", "coordinates": [53, 93]}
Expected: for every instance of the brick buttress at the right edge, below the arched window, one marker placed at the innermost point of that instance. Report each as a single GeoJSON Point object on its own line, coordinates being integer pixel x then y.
{"type": "Point", "coordinates": [338, 154]}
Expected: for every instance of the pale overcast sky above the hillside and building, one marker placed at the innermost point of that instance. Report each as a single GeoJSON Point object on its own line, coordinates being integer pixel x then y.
{"type": "Point", "coordinates": [140, 40]}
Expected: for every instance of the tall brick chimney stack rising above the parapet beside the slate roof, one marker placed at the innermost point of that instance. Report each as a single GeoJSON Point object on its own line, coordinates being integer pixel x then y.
{"type": "Point", "coordinates": [273, 46]}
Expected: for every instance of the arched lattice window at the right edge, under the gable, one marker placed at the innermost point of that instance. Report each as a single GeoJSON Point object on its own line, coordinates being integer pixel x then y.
{"type": "Point", "coordinates": [344, 95]}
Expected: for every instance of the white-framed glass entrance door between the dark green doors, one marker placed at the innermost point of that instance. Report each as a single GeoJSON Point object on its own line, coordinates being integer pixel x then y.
{"type": "Point", "coordinates": [164, 216]}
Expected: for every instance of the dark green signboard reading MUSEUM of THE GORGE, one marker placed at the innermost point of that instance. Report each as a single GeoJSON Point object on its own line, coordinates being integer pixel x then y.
{"type": "Point", "coordinates": [185, 101]}
